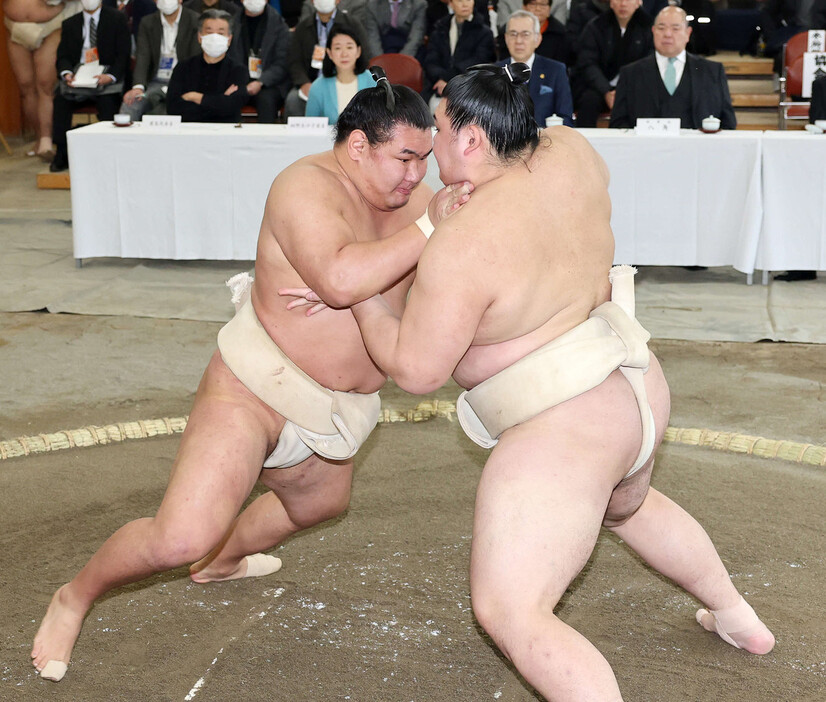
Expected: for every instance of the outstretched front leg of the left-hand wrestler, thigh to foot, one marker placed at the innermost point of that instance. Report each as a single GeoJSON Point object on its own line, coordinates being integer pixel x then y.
{"type": "Point", "coordinates": [228, 436]}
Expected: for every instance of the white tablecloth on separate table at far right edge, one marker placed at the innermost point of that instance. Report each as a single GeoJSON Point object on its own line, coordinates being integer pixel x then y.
{"type": "Point", "coordinates": [794, 202]}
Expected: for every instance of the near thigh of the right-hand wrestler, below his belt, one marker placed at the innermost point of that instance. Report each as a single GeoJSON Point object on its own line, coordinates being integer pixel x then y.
{"type": "Point", "coordinates": [539, 507]}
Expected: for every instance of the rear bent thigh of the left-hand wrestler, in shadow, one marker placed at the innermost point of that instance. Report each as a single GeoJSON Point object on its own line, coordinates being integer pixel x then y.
{"type": "Point", "coordinates": [315, 490]}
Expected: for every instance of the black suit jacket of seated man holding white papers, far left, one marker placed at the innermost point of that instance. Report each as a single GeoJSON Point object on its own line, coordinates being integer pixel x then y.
{"type": "Point", "coordinates": [114, 43]}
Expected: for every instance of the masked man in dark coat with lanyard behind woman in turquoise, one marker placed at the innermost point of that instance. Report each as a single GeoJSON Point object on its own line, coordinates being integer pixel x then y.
{"type": "Point", "coordinates": [308, 47]}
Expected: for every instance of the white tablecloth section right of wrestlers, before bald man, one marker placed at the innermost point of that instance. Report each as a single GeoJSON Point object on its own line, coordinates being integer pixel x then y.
{"type": "Point", "coordinates": [692, 199]}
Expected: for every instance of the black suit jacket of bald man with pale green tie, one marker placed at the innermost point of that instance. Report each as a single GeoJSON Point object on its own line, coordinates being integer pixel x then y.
{"type": "Point", "coordinates": [638, 92]}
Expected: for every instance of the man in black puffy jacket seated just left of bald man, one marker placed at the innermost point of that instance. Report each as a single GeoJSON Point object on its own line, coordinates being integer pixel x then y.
{"type": "Point", "coordinates": [617, 37]}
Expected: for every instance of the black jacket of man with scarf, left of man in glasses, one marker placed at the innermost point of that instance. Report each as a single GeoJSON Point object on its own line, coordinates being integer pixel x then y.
{"type": "Point", "coordinates": [475, 45]}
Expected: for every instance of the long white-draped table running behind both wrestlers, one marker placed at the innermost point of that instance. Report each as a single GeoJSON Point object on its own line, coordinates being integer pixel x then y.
{"type": "Point", "coordinates": [198, 191]}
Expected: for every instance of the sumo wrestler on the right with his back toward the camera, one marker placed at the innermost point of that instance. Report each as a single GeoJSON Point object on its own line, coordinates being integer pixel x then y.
{"type": "Point", "coordinates": [515, 298]}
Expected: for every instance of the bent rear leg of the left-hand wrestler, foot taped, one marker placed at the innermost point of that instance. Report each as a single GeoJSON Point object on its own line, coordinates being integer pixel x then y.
{"type": "Point", "coordinates": [307, 494]}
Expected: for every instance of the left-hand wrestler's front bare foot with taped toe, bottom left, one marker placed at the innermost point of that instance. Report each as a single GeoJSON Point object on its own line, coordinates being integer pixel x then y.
{"type": "Point", "coordinates": [57, 634]}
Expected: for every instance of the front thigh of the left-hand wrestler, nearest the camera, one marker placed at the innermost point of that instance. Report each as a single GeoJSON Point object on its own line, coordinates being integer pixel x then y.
{"type": "Point", "coordinates": [227, 438]}
